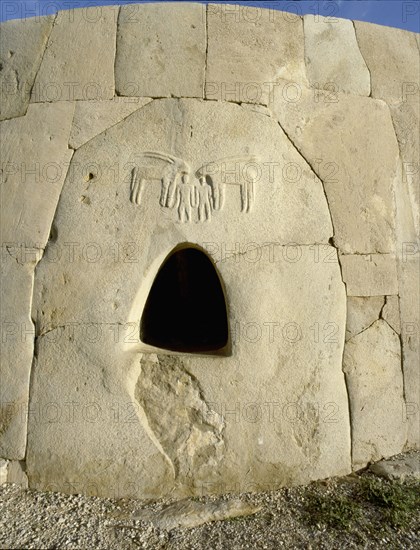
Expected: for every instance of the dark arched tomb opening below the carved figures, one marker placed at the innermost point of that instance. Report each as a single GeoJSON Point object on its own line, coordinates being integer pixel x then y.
{"type": "Point", "coordinates": [186, 310]}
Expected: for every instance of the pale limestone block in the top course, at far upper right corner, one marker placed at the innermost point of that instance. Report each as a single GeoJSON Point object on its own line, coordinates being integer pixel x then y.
{"type": "Point", "coordinates": [393, 61]}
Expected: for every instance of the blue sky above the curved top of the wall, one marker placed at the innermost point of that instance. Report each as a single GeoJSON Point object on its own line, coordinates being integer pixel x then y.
{"type": "Point", "coordinates": [404, 14]}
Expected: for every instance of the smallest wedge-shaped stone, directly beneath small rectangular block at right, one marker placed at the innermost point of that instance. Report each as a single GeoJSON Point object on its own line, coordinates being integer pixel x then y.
{"type": "Point", "coordinates": [361, 313]}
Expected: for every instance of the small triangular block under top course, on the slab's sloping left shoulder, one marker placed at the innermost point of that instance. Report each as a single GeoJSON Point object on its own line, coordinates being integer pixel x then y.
{"type": "Point", "coordinates": [93, 117]}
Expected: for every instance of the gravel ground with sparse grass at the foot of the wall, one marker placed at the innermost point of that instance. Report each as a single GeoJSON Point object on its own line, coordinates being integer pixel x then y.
{"type": "Point", "coordinates": [33, 519]}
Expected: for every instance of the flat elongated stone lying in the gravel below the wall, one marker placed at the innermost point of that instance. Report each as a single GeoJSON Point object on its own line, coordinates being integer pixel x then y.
{"type": "Point", "coordinates": [188, 514]}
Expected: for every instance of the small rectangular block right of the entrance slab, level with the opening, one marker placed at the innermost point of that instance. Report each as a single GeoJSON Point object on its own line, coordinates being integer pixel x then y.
{"type": "Point", "coordinates": [370, 274]}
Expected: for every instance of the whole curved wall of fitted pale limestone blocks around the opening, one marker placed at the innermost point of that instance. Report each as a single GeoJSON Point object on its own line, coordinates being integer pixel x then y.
{"type": "Point", "coordinates": [300, 137]}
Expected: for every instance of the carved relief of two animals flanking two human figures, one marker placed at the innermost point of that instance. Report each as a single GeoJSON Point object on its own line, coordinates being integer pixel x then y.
{"type": "Point", "coordinates": [195, 196]}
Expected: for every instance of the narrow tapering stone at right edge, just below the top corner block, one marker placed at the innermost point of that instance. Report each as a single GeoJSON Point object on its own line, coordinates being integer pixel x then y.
{"type": "Point", "coordinates": [406, 119]}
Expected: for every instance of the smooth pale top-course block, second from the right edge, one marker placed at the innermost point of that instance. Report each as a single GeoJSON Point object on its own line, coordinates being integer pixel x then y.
{"type": "Point", "coordinates": [333, 59]}
